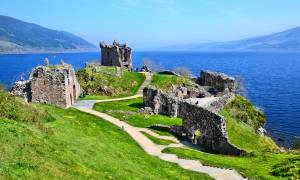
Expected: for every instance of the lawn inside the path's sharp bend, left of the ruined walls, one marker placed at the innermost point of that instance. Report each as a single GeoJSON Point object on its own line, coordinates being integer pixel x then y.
{"type": "Point", "coordinates": [138, 120]}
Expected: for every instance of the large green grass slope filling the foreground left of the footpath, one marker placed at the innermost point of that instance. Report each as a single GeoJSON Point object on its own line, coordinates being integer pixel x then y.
{"type": "Point", "coordinates": [77, 145]}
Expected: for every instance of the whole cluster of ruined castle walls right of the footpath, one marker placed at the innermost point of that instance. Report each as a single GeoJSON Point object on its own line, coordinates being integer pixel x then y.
{"type": "Point", "coordinates": [202, 123]}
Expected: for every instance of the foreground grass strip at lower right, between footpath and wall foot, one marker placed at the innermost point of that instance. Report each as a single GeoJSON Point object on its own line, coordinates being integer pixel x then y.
{"type": "Point", "coordinates": [255, 166]}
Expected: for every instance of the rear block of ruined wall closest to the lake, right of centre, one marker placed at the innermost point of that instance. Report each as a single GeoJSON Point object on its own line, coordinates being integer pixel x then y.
{"type": "Point", "coordinates": [217, 80]}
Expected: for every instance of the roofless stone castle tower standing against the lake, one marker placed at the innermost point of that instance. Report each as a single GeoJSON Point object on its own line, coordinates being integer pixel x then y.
{"type": "Point", "coordinates": [116, 55]}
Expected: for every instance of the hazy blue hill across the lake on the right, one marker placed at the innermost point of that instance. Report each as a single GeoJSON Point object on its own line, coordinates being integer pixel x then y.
{"type": "Point", "coordinates": [288, 40]}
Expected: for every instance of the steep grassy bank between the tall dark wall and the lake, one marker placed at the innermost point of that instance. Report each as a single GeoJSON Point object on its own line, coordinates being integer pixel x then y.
{"type": "Point", "coordinates": [242, 132]}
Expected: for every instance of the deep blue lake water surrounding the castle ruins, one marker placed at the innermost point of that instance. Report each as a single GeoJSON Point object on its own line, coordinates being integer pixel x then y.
{"type": "Point", "coordinates": [272, 80]}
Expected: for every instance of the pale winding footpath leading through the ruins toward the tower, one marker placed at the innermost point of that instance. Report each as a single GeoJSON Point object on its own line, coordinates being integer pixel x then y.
{"type": "Point", "coordinates": [152, 148]}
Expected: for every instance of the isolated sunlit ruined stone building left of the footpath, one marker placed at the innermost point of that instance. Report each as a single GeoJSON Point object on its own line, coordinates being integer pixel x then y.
{"type": "Point", "coordinates": [56, 85]}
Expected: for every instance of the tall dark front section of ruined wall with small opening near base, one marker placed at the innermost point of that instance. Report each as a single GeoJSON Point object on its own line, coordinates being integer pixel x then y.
{"type": "Point", "coordinates": [210, 126]}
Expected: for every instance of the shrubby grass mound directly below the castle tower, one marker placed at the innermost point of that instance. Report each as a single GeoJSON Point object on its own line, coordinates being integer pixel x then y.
{"type": "Point", "coordinates": [105, 82]}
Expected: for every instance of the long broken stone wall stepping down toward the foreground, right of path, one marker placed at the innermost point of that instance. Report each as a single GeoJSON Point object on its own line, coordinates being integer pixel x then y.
{"type": "Point", "coordinates": [211, 126]}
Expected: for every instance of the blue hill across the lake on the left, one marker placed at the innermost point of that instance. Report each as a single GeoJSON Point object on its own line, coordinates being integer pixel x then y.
{"type": "Point", "coordinates": [21, 37]}
